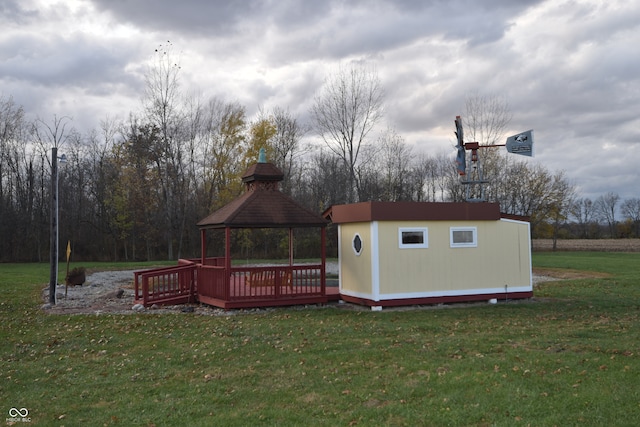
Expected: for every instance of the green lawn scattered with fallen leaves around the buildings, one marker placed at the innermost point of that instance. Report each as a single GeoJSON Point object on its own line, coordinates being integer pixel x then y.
{"type": "Point", "coordinates": [568, 357]}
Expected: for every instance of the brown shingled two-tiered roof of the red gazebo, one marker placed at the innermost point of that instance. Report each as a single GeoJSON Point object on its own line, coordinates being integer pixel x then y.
{"type": "Point", "coordinates": [262, 205]}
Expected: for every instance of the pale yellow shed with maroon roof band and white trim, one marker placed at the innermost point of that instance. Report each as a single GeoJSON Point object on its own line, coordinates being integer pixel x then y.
{"type": "Point", "coordinates": [405, 253]}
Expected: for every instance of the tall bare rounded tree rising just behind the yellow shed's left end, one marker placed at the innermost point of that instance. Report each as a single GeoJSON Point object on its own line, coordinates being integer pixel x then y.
{"type": "Point", "coordinates": [345, 111]}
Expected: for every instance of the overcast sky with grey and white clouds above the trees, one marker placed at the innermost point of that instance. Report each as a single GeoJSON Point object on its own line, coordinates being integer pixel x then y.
{"type": "Point", "coordinates": [569, 69]}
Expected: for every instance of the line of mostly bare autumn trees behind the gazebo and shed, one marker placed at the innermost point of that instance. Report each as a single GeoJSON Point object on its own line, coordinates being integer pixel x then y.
{"type": "Point", "coordinates": [134, 188]}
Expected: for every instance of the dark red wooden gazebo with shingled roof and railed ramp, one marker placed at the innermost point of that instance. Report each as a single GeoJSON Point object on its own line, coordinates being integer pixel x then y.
{"type": "Point", "coordinates": [215, 281]}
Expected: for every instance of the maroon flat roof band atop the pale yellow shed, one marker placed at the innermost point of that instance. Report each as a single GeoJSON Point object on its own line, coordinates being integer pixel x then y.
{"type": "Point", "coordinates": [412, 211]}
